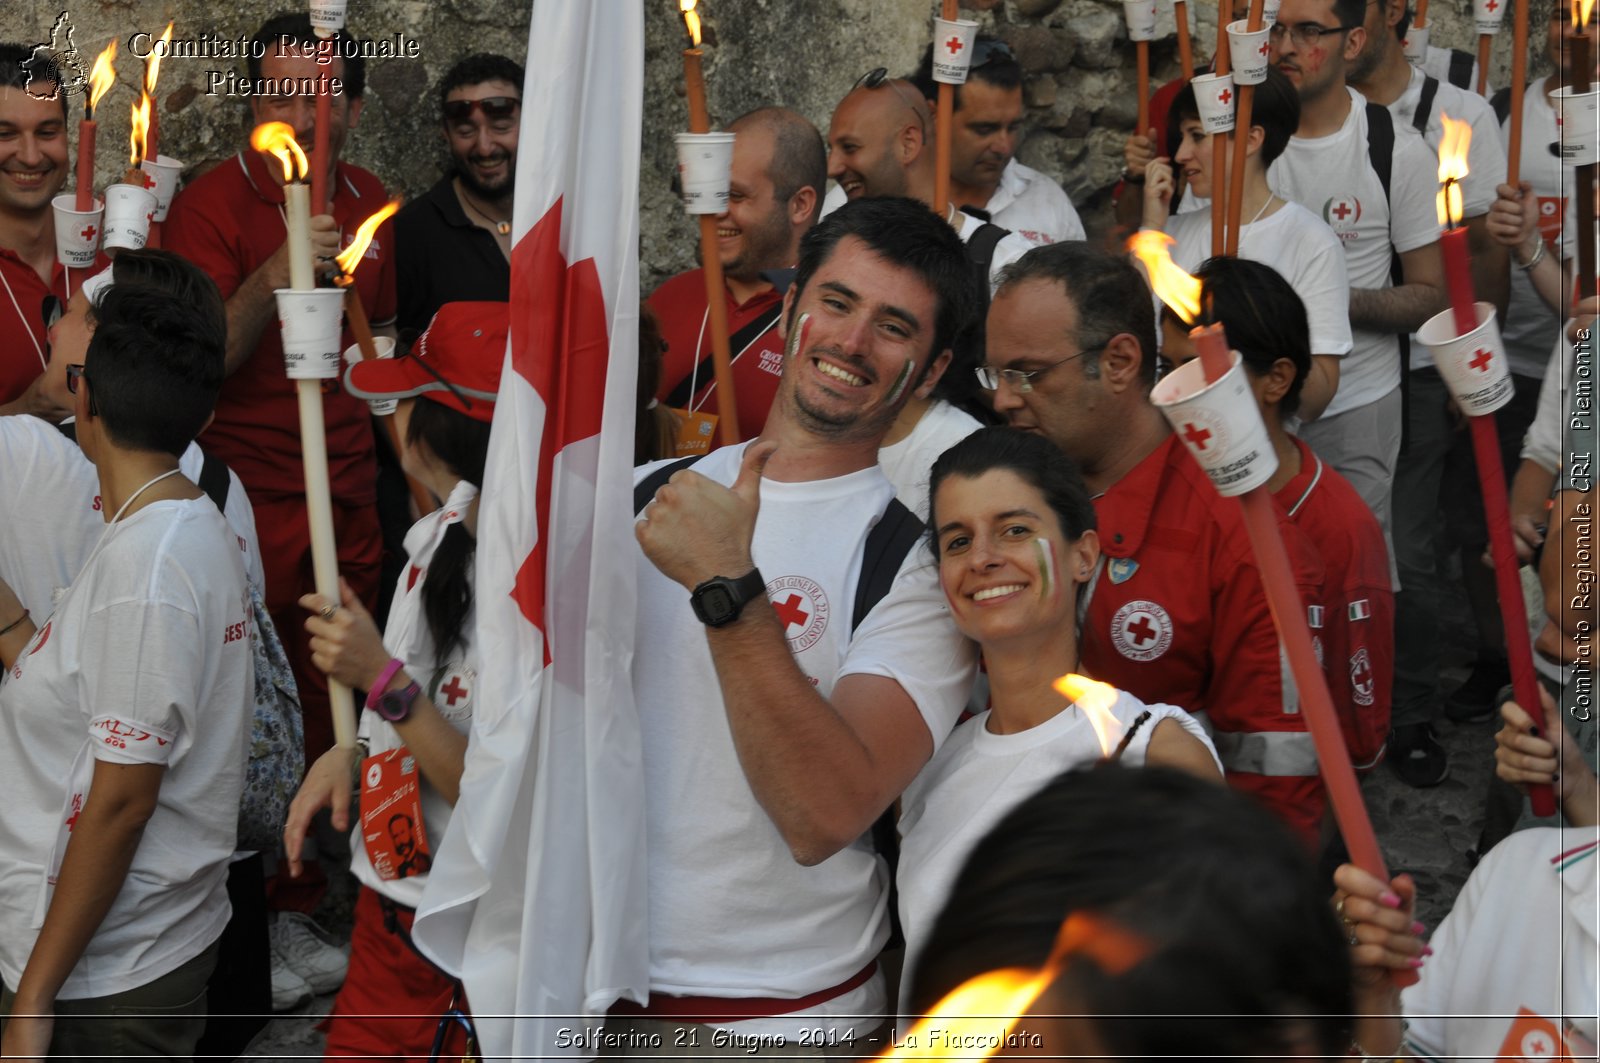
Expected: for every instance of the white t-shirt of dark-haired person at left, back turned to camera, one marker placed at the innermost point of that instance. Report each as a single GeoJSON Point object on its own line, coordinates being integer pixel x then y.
{"type": "Point", "coordinates": [146, 660]}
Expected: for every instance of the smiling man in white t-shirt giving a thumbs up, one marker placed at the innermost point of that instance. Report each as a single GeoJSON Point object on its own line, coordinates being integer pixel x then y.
{"type": "Point", "coordinates": [778, 726]}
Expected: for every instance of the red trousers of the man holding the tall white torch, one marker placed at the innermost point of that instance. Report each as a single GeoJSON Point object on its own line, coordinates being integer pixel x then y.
{"type": "Point", "coordinates": [286, 560]}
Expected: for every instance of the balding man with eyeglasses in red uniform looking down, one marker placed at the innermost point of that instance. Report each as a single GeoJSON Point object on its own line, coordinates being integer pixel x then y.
{"type": "Point", "coordinates": [1177, 611]}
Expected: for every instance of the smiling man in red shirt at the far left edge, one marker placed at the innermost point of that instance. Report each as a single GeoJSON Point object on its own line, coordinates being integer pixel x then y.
{"type": "Point", "coordinates": [33, 284]}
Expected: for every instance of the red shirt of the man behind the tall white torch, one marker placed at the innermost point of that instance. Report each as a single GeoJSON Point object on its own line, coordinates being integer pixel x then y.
{"type": "Point", "coordinates": [231, 222]}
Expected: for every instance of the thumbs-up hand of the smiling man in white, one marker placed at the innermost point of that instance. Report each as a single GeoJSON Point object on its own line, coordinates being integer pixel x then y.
{"type": "Point", "coordinates": [697, 529]}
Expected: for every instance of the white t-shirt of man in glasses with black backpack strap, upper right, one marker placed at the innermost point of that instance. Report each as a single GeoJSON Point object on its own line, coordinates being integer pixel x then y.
{"type": "Point", "coordinates": [1334, 179]}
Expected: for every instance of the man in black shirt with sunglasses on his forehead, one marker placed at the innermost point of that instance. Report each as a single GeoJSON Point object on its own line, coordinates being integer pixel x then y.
{"type": "Point", "coordinates": [454, 243]}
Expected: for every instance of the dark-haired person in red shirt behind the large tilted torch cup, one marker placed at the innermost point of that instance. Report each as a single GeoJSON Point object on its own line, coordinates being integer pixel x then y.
{"type": "Point", "coordinates": [1354, 625]}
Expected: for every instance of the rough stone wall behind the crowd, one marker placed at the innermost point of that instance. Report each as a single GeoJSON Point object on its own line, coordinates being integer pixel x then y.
{"type": "Point", "coordinates": [1081, 78]}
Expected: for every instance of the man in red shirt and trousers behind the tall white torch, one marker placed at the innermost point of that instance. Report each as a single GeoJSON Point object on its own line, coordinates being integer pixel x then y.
{"type": "Point", "coordinates": [231, 223]}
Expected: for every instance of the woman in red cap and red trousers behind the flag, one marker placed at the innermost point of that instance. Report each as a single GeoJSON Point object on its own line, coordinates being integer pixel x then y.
{"type": "Point", "coordinates": [422, 678]}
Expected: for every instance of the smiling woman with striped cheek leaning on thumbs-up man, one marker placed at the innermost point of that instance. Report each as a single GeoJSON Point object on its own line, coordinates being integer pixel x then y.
{"type": "Point", "coordinates": [1014, 531]}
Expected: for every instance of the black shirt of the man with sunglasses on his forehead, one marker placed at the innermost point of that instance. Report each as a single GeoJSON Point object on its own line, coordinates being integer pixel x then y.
{"type": "Point", "coordinates": [442, 257]}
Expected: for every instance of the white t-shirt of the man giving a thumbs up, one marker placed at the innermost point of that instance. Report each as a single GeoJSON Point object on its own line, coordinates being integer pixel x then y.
{"type": "Point", "coordinates": [732, 915]}
